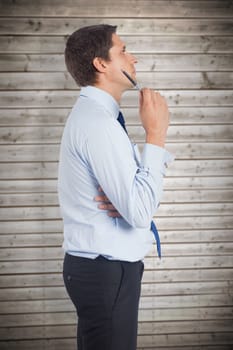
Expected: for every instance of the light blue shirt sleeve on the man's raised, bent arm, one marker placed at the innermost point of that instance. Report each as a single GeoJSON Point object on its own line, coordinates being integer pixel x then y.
{"type": "Point", "coordinates": [135, 189]}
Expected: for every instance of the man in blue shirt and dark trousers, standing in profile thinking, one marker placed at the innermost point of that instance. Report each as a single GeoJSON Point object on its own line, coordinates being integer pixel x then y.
{"type": "Point", "coordinates": [105, 242]}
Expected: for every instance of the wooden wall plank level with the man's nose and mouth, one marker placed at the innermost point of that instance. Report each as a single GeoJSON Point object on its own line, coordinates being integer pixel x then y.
{"type": "Point", "coordinates": [148, 62]}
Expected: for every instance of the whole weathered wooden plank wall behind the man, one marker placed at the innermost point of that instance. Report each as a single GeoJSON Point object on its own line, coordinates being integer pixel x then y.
{"type": "Point", "coordinates": [185, 50]}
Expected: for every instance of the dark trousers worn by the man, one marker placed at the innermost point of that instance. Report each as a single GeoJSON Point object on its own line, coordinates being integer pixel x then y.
{"type": "Point", "coordinates": [106, 296]}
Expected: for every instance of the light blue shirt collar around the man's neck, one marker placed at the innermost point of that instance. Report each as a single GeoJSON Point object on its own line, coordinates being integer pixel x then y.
{"type": "Point", "coordinates": [101, 97]}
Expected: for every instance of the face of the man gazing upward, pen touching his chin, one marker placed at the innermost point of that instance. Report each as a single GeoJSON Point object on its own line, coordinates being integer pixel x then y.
{"type": "Point", "coordinates": [120, 60]}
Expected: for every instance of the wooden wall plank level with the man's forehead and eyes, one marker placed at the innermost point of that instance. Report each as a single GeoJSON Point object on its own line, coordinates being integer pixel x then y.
{"type": "Point", "coordinates": [135, 44]}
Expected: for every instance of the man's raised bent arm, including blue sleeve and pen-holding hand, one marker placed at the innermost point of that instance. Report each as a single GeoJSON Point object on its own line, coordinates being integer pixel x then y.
{"type": "Point", "coordinates": [135, 191]}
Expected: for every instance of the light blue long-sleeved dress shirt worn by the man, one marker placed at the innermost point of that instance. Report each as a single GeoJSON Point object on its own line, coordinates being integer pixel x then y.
{"type": "Point", "coordinates": [95, 151]}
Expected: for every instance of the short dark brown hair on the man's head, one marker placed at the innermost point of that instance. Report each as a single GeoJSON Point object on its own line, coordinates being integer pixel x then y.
{"type": "Point", "coordinates": [83, 46]}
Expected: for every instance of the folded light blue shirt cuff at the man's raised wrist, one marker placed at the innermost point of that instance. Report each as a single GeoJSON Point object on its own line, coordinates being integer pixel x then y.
{"type": "Point", "coordinates": [155, 158]}
